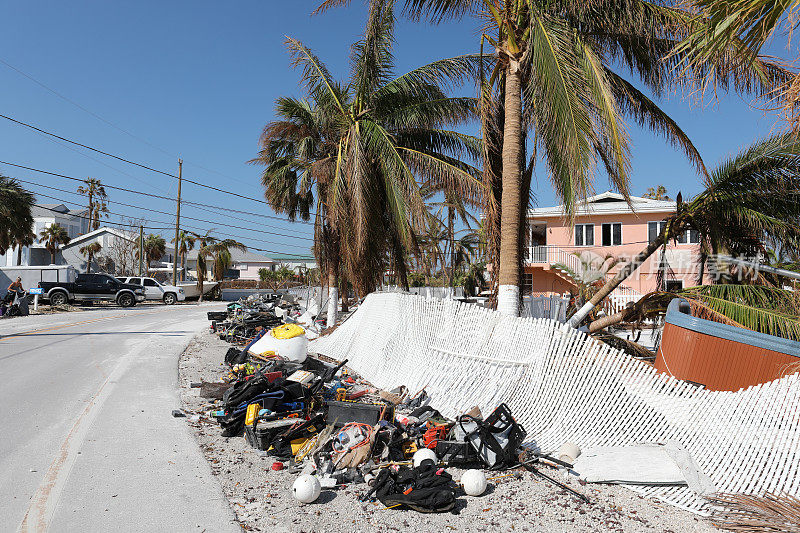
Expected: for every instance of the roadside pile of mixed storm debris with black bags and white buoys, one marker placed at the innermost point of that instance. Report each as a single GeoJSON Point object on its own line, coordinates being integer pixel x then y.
{"type": "Point", "coordinates": [319, 421]}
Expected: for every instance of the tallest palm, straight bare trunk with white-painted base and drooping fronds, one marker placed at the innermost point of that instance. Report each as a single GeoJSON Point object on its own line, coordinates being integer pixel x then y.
{"type": "Point", "coordinates": [554, 74]}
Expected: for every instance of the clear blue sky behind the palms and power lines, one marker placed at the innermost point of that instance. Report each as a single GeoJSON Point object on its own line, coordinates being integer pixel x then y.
{"type": "Point", "coordinates": [199, 79]}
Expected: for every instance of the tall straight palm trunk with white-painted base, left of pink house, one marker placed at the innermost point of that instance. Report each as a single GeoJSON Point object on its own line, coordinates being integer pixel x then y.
{"type": "Point", "coordinates": [508, 291]}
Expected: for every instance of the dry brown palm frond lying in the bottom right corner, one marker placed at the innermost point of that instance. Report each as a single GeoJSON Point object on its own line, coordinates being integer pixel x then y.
{"type": "Point", "coordinates": [744, 513]}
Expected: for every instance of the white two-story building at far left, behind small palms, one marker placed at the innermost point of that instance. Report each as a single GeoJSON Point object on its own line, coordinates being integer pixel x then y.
{"type": "Point", "coordinates": [75, 221]}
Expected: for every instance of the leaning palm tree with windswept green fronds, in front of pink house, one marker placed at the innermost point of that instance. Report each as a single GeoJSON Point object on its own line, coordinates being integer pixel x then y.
{"type": "Point", "coordinates": [752, 200]}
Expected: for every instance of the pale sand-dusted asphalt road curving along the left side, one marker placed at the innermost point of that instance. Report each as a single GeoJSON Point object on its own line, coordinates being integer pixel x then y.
{"type": "Point", "coordinates": [88, 442]}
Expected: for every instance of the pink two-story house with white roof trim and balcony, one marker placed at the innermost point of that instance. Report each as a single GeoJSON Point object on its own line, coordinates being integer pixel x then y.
{"type": "Point", "coordinates": [605, 225]}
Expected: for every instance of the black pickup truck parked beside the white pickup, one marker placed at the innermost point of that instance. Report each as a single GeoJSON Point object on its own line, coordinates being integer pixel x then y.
{"type": "Point", "coordinates": [92, 287]}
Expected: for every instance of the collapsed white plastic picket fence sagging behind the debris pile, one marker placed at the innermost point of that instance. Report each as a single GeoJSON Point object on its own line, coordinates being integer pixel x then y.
{"type": "Point", "coordinates": [563, 385]}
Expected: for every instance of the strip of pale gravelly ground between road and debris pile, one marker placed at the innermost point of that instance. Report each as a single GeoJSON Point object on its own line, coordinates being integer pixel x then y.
{"type": "Point", "coordinates": [261, 498]}
